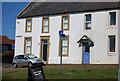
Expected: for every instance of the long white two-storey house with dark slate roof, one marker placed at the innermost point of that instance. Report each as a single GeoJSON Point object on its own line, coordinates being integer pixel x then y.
{"type": "Point", "coordinates": [90, 28]}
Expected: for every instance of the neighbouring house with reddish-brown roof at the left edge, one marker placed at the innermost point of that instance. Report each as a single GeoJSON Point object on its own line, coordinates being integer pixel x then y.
{"type": "Point", "coordinates": [6, 44]}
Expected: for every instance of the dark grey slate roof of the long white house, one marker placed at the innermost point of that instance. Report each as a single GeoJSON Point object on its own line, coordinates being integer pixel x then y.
{"type": "Point", "coordinates": [51, 8]}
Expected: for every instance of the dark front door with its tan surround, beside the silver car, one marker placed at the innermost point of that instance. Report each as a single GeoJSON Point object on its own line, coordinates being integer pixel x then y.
{"type": "Point", "coordinates": [44, 48]}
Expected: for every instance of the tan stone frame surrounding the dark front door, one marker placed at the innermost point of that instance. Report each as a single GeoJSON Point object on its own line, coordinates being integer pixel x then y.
{"type": "Point", "coordinates": [48, 47]}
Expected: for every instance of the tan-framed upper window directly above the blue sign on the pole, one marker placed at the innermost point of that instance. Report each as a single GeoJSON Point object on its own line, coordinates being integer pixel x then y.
{"type": "Point", "coordinates": [65, 22]}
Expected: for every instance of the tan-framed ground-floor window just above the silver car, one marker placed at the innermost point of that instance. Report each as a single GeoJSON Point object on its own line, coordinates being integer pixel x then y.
{"type": "Point", "coordinates": [28, 45]}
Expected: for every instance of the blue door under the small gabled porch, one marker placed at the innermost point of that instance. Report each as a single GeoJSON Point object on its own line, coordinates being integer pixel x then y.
{"type": "Point", "coordinates": [86, 53]}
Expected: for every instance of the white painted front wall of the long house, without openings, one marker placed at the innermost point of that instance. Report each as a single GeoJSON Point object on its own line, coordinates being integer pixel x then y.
{"type": "Point", "coordinates": [98, 34]}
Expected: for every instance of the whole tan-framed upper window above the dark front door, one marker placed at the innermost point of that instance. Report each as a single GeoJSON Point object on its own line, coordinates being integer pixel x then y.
{"type": "Point", "coordinates": [45, 25]}
